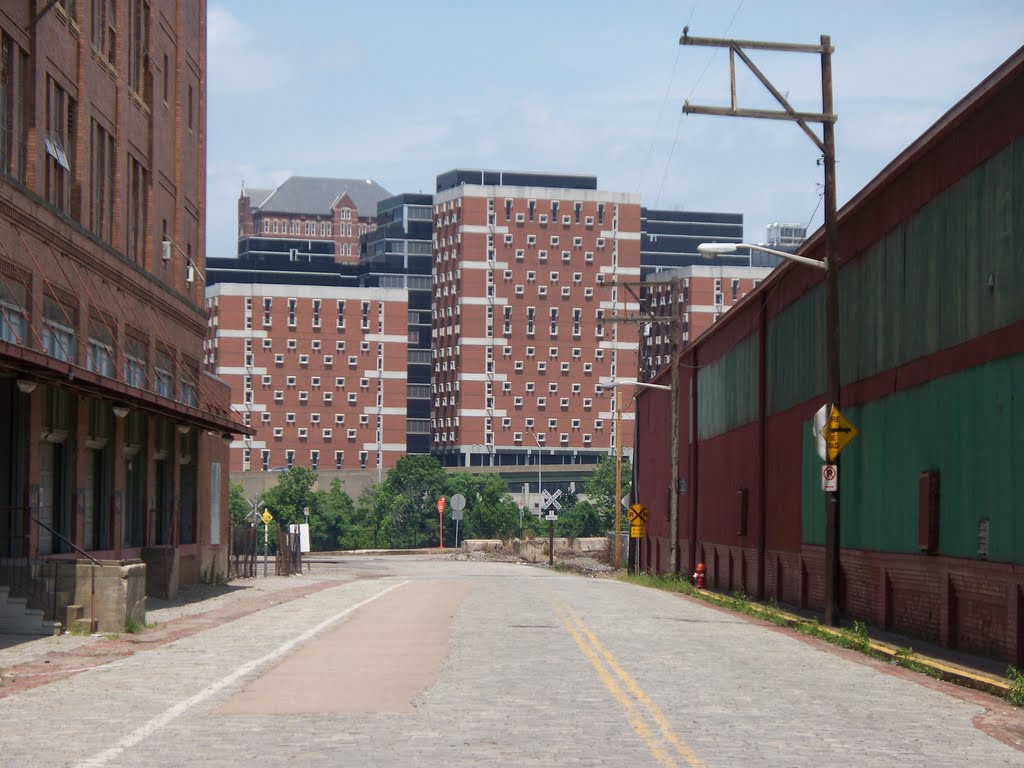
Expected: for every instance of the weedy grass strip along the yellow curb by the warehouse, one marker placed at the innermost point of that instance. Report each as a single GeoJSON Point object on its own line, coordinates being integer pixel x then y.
{"type": "Point", "coordinates": [856, 638]}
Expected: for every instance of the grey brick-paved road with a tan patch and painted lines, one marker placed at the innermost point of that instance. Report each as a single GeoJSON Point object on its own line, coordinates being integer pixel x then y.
{"type": "Point", "coordinates": [538, 669]}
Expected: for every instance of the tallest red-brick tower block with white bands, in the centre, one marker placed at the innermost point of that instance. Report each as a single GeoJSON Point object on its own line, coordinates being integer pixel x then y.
{"type": "Point", "coordinates": [527, 274]}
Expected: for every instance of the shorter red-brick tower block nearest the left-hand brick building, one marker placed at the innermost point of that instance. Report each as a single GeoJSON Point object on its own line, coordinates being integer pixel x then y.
{"type": "Point", "coordinates": [319, 371]}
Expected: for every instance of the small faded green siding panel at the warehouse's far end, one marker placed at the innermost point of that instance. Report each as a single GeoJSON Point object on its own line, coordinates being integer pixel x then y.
{"type": "Point", "coordinates": [728, 391]}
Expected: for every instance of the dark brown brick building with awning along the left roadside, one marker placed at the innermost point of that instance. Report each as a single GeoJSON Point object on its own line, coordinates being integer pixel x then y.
{"type": "Point", "coordinates": [112, 430]}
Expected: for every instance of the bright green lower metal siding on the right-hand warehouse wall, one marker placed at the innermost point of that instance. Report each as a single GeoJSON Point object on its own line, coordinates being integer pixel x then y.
{"type": "Point", "coordinates": [966, 426]}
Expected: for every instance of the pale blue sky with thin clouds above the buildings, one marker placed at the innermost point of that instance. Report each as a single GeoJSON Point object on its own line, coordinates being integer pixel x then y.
{"type": "Point", "coordinates": [405, 91]}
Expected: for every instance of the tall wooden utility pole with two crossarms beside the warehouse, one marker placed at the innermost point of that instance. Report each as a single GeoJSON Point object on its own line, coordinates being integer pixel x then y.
{"type": "Point", "coordinates": [827, 144]}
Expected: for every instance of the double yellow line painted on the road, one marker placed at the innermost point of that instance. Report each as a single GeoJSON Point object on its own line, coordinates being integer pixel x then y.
{"type": "Point", "coordinates": [644, 715]}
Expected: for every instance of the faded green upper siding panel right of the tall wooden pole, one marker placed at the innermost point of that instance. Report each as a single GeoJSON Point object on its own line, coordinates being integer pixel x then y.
{"type": "Point", "coordinates": [952, 274]}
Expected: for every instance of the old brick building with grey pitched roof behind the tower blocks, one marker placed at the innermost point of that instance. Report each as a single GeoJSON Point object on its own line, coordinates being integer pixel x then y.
{"type": "Point", "coordinates": [308, 217]}
